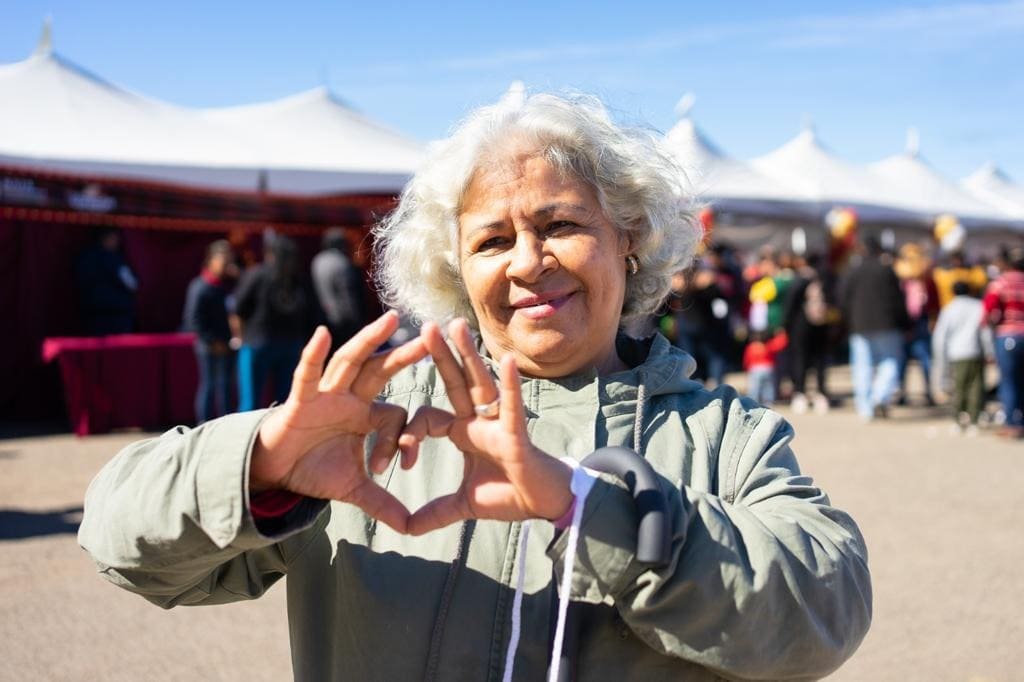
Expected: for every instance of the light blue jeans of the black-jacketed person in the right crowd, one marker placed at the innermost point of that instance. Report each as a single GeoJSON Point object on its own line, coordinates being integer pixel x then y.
{"type": "Point", "coordinates": [875, 362]}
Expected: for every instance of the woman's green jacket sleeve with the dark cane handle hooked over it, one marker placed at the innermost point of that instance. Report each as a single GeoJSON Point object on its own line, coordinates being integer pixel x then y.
{"type": "Point", "coordinates": [766, 579]}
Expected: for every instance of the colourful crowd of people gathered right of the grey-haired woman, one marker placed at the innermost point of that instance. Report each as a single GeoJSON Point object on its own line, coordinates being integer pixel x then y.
{"type": "Point", "coordinates": [782, 316]}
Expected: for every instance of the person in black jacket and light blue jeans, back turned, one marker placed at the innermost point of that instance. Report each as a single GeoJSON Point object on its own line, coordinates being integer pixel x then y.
{"type": "Point", "coordinates": [877, 318]}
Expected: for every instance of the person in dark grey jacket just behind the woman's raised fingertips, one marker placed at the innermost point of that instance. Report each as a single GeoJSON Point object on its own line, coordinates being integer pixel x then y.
{"type": "Point", "coordinates": [340, 289]}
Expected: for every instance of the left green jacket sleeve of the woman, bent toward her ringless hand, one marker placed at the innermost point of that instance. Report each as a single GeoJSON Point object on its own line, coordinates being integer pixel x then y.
{"type": "Point", "coordinates": [168, 519]}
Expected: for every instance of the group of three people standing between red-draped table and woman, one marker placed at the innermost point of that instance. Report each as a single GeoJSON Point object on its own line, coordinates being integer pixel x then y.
{"type": "Point", "coordinates": [250, 327]}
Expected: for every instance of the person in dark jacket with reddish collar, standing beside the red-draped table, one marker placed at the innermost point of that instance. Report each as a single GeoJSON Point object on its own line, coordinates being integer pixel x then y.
{"type": "Point", "coordinates": [206, 315]}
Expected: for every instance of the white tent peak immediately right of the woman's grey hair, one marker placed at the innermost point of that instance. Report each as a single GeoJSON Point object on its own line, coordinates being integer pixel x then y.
{"type": "Point", "coordinates": [728, 183]}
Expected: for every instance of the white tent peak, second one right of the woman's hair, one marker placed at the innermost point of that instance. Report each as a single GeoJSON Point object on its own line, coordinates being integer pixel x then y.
{"type": "Point", "coordinates": [815, 175]}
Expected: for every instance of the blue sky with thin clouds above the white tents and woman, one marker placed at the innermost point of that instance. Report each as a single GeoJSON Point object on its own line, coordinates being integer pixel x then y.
{"type": "Point", "coordinates": [863, 72]}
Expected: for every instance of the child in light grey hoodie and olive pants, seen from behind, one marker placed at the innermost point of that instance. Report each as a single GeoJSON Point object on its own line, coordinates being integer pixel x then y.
{"type": "Point", "coordinates": [961, 343]}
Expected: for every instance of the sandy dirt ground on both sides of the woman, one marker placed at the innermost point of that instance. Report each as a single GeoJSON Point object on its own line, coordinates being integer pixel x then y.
{"type": "Point", "coordinates": [940, 511]}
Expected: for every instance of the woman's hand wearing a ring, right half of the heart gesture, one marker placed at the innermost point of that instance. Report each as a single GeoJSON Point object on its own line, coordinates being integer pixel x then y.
{"type": "Point", "coordinates": [505, 477]}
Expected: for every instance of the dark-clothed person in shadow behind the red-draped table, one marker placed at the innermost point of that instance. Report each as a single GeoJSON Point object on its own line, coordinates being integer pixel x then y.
{"type": "Point", "coordinates": [107, 287]}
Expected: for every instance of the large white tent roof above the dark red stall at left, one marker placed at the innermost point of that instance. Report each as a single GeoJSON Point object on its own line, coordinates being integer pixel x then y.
{"type": "Point", "coordinates": [57, 116]}
